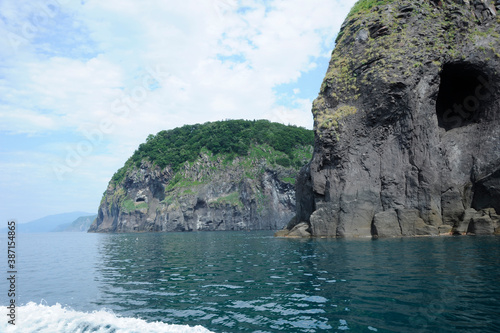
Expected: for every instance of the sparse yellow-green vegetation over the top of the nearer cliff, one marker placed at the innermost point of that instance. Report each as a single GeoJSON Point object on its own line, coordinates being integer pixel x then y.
{"type": "Point", "coordinates": [377, 45]}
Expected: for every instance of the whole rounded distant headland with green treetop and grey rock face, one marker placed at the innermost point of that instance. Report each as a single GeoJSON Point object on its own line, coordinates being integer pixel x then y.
{"type": "Point", "coordinates": [231, 175]}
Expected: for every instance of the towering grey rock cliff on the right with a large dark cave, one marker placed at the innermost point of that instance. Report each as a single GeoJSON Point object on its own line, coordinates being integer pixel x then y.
{"type": "Point", "coordinates": [407, 124]}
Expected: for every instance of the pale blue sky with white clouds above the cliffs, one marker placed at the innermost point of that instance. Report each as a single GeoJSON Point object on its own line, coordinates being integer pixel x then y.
{"type": "Point", "coordinates": [83, 83]}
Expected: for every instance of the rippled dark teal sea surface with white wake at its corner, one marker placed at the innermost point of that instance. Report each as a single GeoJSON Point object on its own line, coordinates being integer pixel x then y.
{"type": "Point", "coordinates": [252, 282]}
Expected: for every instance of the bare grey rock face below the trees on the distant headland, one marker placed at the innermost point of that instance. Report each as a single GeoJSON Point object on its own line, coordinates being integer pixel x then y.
{"type": "Point", "coordinates": [209, 194]}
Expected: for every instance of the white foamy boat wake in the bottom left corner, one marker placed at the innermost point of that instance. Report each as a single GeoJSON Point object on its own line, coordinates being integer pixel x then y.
{"type": "Point", "coordinates": [39, 318]}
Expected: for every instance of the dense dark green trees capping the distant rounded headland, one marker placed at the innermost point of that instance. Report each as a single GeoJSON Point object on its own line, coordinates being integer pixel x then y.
{"type": "Point", "coordinates": [229, 138]}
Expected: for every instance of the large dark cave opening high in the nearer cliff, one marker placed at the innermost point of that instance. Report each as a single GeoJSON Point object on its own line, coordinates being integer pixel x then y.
{"type": "Point", "coordinates": [464, 95]}
